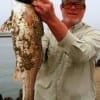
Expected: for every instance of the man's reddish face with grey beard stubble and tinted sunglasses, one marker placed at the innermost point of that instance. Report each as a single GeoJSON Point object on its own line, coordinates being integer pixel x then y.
{"type": "Point", "coordinates": [73, 11]}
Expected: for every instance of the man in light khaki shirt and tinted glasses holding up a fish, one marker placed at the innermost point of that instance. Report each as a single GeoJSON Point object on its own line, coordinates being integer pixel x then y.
{"type": "Point", "coordinates": [67, 72]}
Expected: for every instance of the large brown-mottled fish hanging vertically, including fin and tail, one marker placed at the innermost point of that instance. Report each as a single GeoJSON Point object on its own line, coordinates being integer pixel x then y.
{"type": "Point", "coordinates": [27, 30]}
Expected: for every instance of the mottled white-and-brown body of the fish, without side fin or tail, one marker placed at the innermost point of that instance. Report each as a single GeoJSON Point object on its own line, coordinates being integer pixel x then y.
{"type": "Point", "coordinates": [27, 34]}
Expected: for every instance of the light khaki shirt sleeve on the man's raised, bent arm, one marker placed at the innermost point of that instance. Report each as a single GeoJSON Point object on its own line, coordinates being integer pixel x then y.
{"type": "Point", "coordinates": [84, 49]}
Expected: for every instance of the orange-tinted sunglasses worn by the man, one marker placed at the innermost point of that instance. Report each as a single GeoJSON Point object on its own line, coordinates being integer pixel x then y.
{"type": "Point", "coordinates": [77, 5]}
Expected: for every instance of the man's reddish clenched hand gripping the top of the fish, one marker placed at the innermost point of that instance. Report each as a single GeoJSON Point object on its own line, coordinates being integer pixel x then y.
{"type": "Point", "coordinates": [45, 9]}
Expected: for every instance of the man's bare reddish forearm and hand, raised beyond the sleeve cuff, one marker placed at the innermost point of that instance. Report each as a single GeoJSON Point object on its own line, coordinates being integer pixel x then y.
{"type": "Point", "coordinates": [45, 10]}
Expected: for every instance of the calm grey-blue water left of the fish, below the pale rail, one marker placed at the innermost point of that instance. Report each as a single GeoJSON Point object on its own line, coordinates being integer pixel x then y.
{"type": "Point", "coordinates": [8, 87]}
